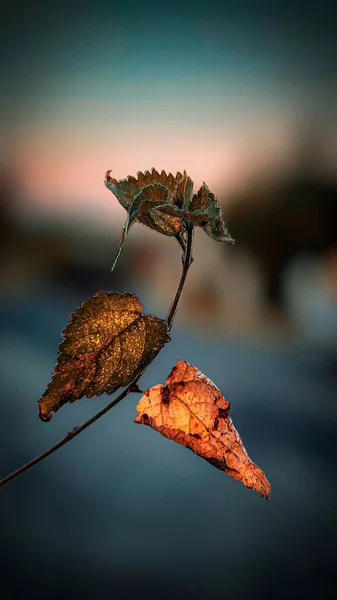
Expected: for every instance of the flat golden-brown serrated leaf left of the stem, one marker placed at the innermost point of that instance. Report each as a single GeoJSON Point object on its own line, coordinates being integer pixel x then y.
{"type": "Point", "coordinates": [107, 341]}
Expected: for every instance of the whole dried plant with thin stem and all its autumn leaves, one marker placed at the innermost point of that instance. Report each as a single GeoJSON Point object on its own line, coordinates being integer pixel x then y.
{"type": "Point", "coordinates": [109, 342]}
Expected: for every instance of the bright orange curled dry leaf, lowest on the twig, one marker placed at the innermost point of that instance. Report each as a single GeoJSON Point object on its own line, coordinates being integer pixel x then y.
{"type": "Point", "coordinates": [191, 410]}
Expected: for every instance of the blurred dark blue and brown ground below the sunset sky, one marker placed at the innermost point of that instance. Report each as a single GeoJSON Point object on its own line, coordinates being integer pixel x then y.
{"type": "Point", "coordinates": [122, 512]}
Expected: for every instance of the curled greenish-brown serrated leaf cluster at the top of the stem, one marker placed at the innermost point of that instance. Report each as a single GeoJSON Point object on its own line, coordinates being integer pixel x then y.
{"type": "Point", "coordinates": [166, 203]}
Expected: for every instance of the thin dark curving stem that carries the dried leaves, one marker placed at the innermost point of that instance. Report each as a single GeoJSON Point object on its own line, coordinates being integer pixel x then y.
{"type": "Point", "coordinates": [130, 388]}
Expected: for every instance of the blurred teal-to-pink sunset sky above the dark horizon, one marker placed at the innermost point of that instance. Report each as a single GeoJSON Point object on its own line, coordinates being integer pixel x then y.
{"type": "Point", "coordinates": [218, 89]}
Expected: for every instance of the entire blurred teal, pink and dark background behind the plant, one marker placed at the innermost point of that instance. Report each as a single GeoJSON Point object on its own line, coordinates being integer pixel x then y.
{"type": "Point", "coordinates": [242, 96]}
